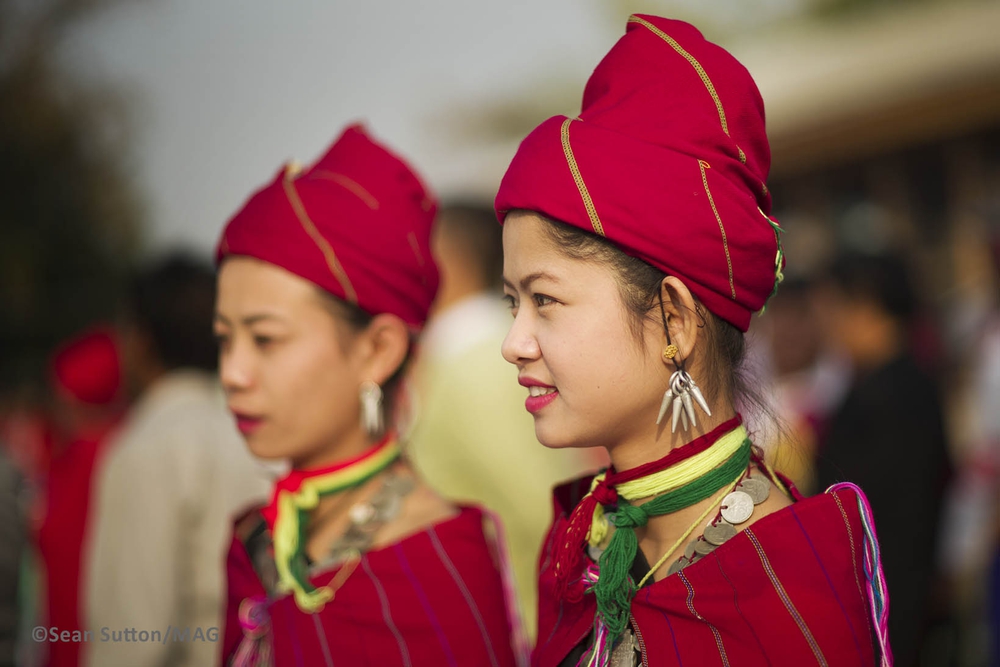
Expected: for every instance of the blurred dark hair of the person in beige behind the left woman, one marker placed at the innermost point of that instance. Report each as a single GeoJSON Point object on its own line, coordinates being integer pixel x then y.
{"type": "Point", "coordinates": [173, 302]}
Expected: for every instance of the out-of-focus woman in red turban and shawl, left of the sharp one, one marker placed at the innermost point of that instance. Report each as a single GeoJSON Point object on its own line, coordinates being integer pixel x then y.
{"type": "Point", "coordinates": [325, 278]}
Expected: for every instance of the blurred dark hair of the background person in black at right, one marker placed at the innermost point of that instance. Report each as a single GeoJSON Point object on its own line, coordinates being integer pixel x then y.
{"type": "Point", "coordinates": [883, 279]}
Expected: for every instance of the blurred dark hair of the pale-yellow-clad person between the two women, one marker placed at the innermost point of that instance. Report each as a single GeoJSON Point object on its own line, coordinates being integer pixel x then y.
{"type": "Point", "coordinates": [475, 230]}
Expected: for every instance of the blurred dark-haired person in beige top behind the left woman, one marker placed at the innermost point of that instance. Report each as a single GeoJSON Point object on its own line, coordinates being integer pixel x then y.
{"type": "Point", "coordinates": [175, 475]}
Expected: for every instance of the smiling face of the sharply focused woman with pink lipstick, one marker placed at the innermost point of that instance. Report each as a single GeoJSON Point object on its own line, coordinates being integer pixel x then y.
{"type": "Point", "coordinates": [591, 381]}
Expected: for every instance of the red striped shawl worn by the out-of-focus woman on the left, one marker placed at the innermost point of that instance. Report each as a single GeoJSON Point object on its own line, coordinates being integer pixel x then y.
{"type": "Point", "coordinates": [434, 598]}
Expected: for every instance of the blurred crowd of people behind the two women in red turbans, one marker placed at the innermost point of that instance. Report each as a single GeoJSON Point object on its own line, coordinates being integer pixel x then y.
{"type": "Point", "coordinates": [133, 441]}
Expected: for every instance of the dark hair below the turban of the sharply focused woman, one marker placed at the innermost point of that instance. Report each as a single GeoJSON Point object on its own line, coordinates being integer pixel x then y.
{"type": "Point", "coordinates": [639, 284]}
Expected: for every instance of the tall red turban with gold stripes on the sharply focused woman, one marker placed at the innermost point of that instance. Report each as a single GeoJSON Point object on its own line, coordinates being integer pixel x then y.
{"type": "Point", "coordinates": [667, 160]}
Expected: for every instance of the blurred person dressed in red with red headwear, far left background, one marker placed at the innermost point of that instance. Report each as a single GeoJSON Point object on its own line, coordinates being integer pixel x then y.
{"type": "Point", "coordinates": [88, 401]}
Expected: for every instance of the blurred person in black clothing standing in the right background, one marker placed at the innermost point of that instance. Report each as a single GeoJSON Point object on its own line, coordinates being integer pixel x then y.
{"type": "Point", "coordinates": [888, 433]}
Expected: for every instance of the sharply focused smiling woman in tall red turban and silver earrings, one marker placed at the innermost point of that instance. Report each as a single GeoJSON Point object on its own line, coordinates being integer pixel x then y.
{"type": "Point", "coordinates": [638, 243]}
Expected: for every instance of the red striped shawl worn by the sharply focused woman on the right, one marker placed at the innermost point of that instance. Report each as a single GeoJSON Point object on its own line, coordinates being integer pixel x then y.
{"type": "Point", "coordinates": [789, 590]}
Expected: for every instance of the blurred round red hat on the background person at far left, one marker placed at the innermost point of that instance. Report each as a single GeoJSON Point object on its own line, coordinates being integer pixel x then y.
{"type": "Point", "coordinates": [88, 367]}
